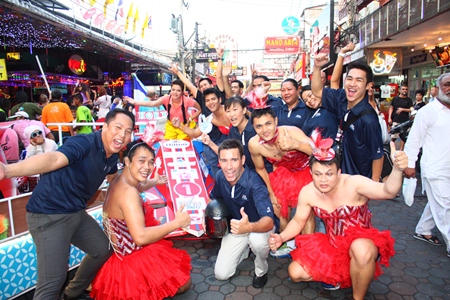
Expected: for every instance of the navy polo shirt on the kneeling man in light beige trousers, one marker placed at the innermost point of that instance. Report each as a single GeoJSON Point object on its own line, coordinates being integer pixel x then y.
{"type": "Point", "coordinates": [249, 192]}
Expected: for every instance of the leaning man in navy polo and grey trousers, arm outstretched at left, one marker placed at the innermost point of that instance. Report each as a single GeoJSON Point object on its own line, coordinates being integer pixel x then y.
{"type": "Point", "coordinates": [56, 213]}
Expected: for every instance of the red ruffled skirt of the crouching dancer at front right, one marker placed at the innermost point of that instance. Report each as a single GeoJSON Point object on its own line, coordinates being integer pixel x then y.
{"type": "Point", "coordinates": [330, 264]}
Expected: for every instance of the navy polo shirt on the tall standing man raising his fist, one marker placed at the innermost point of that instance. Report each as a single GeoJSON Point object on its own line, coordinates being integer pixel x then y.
{"type": "Point", "coordinates": [362, 142]}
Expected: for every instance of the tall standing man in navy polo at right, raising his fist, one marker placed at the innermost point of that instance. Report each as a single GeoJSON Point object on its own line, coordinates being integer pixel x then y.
{"type": "Point", "coordinates": [362, 145]}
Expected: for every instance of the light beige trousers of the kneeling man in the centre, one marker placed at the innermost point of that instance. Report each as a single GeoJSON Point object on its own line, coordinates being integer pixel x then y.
{"type": "Point", "coordinates": [234, 249]}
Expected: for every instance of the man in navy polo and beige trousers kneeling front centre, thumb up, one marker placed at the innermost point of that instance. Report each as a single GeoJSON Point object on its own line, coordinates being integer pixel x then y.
{"type": "Point", "coordinates": [253, 220]}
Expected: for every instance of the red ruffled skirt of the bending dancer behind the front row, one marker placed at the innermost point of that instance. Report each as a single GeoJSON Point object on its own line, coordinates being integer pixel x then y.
{"type": "Point", "coordinates": [286, 186]}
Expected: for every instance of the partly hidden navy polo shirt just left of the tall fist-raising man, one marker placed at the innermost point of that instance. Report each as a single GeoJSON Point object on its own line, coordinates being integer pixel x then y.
{"type": "Point", "coordinates": [322, 119]}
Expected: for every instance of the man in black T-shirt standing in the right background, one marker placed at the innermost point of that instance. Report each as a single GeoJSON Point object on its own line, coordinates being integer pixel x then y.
{"type": "Point", "coordinates": [399, 111]}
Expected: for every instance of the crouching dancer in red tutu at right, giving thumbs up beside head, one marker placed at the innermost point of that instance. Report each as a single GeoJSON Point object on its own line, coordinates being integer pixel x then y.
{"type": "Point", "coordinates": [352, 250]}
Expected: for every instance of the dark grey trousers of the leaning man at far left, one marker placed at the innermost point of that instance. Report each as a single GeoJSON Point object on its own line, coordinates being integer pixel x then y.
{"type": "Point", "coordinates": [53, 235]}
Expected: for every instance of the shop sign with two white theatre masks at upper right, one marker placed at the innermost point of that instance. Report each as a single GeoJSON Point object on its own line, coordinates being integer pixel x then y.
{"type": "Point", "coordinates": [387, 61]}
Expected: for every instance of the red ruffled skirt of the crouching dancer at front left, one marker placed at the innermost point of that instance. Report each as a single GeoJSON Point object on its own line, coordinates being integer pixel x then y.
{"type": "Point", "coordinates": [156, 271]}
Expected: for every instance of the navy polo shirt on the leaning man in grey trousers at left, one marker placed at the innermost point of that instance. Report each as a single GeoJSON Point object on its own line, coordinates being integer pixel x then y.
{"type": "Point", "coordinates": [67, 190]}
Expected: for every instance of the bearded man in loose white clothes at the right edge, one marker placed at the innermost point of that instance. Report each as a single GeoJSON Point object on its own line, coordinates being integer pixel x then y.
{"type": "Point", "coordinates": [430, 131]}
